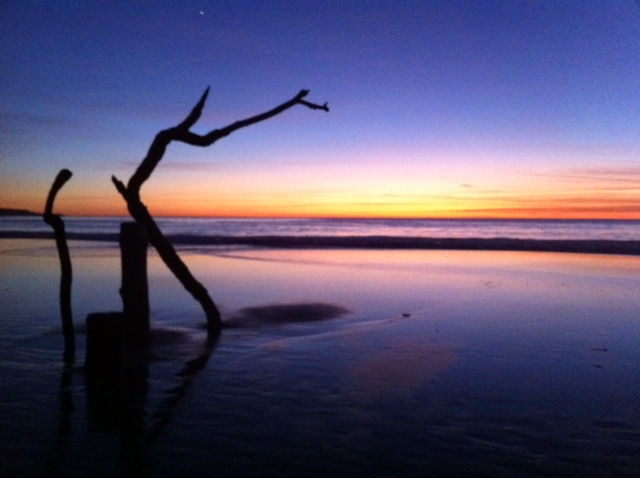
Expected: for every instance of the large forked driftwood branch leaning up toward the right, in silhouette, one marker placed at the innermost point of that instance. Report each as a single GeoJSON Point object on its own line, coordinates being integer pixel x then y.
{"type": "Point", "coordinates": [131, 192]}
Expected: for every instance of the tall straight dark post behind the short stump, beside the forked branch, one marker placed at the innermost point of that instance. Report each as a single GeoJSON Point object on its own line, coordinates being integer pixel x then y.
{"type": "Point", "coordinates": [135, 290]}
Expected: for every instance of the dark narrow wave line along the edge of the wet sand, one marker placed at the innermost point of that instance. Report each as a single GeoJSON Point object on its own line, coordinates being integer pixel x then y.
{"type": "Point", "coordinates": [583, 246]}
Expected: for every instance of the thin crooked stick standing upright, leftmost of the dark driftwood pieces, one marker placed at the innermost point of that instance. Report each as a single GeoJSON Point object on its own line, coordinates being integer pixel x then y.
{"type": "Point", "coordinates": [66, 278]}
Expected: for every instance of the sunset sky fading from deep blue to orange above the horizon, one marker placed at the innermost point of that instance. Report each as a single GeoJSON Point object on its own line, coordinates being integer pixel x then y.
{"type": "Point", "coordinates": [462, 109]}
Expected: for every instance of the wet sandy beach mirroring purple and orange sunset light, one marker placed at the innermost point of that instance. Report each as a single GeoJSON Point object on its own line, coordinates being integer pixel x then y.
{"type": "Point", "coordinates": [332, 362]}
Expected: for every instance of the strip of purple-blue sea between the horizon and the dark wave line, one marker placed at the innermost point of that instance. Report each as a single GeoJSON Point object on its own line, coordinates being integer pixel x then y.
{"type": "Point", "coordinates": [429, 228]}
